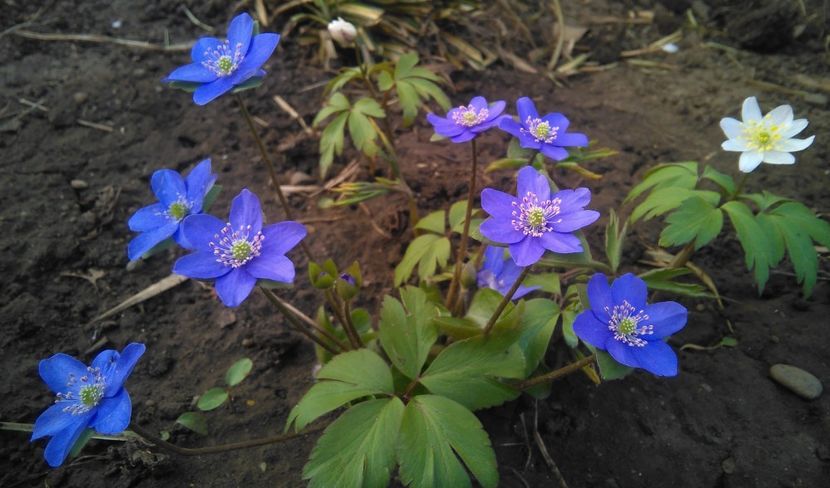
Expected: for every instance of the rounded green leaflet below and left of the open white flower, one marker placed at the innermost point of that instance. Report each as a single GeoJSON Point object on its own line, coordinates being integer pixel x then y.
{"type": "Point", "coordinates": [695, 219]}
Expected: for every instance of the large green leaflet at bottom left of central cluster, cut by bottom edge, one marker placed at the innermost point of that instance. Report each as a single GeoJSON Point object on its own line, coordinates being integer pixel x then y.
{"type": "Point", "coordinates": [358, 449]}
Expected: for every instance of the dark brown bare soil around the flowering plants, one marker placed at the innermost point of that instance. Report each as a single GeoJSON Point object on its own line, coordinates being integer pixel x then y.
{"type": "Point", "coordinates": [721, 423]}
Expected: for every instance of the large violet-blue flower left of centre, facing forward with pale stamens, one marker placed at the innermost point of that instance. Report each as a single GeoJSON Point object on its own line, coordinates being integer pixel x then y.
{"type": "Point", "coordinates": [238, 253]}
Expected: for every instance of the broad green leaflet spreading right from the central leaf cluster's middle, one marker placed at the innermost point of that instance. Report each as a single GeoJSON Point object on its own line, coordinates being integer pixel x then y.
{"type": "Point", "coordinates": [467, 372]}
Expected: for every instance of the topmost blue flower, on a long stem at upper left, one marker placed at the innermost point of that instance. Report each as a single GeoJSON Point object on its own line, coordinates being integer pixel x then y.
{"type": "Point", "coordinates": [219, 66]}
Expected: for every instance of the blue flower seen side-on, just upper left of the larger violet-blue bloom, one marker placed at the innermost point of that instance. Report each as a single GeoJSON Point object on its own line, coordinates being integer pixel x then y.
{"type": "Point", "coordinates": [178, 198]}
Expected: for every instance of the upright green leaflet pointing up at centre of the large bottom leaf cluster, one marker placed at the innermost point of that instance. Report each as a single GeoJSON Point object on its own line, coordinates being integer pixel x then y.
{"type": "Point", "coordinates": [406, 331]}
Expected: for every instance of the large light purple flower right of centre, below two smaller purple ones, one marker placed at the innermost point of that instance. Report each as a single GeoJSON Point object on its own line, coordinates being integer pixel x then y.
{"type": "Point", "coordinates": [534, 220]}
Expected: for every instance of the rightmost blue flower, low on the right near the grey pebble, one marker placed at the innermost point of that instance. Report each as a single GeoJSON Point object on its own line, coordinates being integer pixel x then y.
{"type": "Point", "coordinates": [630, 330]}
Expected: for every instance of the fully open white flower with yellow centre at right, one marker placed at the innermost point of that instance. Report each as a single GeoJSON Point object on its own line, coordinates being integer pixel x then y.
{"type": "Point", "coordinates": [767, 138]}
